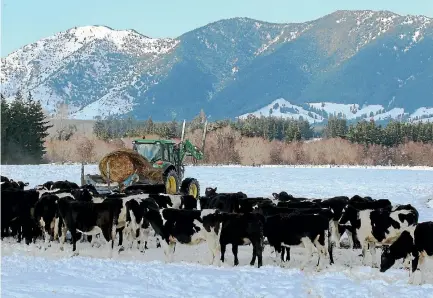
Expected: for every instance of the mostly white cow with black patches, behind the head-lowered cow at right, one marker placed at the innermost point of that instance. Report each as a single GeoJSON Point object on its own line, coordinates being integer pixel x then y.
{"type": "Point", "coordinates": [377, 227]}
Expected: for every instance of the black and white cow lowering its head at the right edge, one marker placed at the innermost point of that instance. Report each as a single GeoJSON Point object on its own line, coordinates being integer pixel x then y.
{"type": "Point", "coordinates": [415, 243]}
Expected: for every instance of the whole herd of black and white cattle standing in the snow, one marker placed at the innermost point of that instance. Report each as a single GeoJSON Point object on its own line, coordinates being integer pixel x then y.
{"type": "Point", "coordinates": [50, 210]}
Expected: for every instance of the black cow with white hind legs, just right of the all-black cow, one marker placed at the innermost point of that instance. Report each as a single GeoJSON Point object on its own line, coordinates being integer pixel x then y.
{"type": "Point", "coordinates": [307, 230]}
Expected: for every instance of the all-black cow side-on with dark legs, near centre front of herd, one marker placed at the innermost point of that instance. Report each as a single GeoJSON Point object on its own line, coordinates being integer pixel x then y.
{"type": "Point", "coordinates": [238, 229]}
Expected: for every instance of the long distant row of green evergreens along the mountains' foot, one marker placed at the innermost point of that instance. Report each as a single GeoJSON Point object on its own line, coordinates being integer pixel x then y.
{"type": "Point", "coordinates": [273, 128]}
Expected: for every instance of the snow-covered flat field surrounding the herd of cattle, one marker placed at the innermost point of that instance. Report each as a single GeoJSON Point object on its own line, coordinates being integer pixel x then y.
{"type": "Point", "coordinates": [29, 272]}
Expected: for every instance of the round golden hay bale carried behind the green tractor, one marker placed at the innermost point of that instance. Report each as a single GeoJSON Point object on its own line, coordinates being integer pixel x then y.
{"type": "Point", "coordinates": [125, 162]}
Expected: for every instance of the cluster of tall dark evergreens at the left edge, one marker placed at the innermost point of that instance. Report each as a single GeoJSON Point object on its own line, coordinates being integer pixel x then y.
{"type": "Point", "coordinates": [23, 130]}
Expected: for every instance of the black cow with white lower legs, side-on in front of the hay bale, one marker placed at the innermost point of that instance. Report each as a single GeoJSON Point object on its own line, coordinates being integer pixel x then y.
{"type": "Point", "coordinates": [91, 218]}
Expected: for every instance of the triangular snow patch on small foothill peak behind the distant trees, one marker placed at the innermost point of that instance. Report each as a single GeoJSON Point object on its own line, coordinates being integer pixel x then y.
{"type": "Point", "coordinates": [276, 106]}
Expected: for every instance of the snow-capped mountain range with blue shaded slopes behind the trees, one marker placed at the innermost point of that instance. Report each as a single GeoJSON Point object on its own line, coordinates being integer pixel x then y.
{"type": "Point", "coordinates": [376, 63]}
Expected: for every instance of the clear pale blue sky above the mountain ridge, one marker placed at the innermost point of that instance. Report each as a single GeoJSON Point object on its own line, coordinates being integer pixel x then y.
{"type": "Point", "coordinates": [26, 21]}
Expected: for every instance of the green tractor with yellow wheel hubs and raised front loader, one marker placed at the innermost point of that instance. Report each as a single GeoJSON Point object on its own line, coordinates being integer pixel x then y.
{"type": "Point", "coordinates": [167, 155]}
